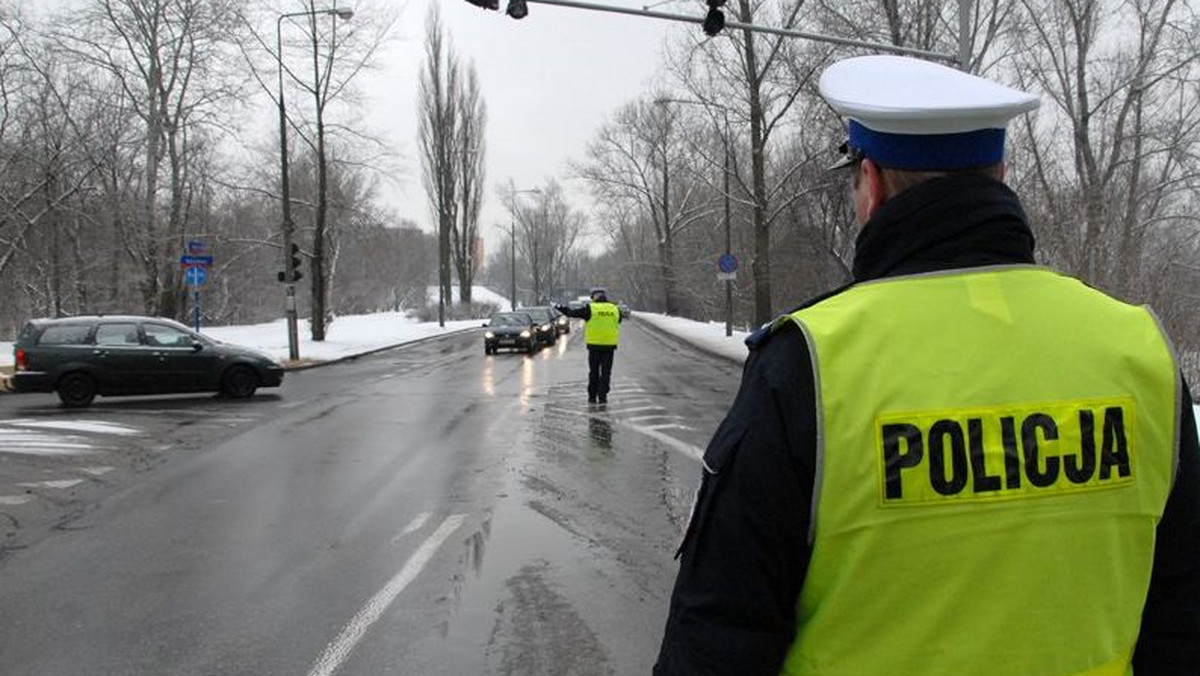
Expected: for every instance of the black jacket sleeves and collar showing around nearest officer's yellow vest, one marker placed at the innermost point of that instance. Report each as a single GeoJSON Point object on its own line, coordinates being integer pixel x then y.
{"type": "Point", "coordinates": [746, 554]}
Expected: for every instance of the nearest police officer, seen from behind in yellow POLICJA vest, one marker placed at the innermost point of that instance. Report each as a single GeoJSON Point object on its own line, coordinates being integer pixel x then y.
{"type": "Point", "coordinates": [962, 464]}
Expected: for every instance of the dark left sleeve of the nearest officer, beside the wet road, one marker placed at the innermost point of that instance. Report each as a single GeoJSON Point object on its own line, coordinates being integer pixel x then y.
{"type": "Point", "coordinates": [746, 553]}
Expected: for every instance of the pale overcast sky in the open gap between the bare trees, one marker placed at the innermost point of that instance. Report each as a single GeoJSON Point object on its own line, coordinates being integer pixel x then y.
{"type": "Point", "coordinates": [550, 81]}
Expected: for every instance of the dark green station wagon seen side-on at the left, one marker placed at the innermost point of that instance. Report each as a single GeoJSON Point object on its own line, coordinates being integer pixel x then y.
{"type": "Point", "coordinates": [83, 357]}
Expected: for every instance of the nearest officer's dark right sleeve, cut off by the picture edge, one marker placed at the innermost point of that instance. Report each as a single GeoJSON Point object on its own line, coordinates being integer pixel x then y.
{"type": "Point", "coordinates": [1169, 641]}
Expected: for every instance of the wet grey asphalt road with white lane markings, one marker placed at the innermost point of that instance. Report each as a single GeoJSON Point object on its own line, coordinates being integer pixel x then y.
{"type": "Point", "coordinates": [425, 511]}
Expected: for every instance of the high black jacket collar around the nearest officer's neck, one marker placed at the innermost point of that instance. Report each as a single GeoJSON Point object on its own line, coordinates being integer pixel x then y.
{"type": "Point", "coordinates": [961, 222]}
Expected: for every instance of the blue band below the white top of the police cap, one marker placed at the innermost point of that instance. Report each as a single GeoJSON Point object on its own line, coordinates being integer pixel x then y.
{"type": "Point", "coordinates": [979, 148]}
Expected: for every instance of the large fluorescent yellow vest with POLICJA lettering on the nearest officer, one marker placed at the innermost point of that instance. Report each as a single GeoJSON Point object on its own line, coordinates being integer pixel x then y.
{"type": "Point", "coordinates": [995, 451]}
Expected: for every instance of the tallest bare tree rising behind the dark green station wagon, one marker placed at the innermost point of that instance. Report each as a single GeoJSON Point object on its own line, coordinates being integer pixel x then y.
{"type": "Point", "coordinates": [167, 58]}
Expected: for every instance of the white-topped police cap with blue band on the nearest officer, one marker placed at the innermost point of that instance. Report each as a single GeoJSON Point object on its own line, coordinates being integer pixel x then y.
{"type": "Point", "coordinates": [911, 115]}
